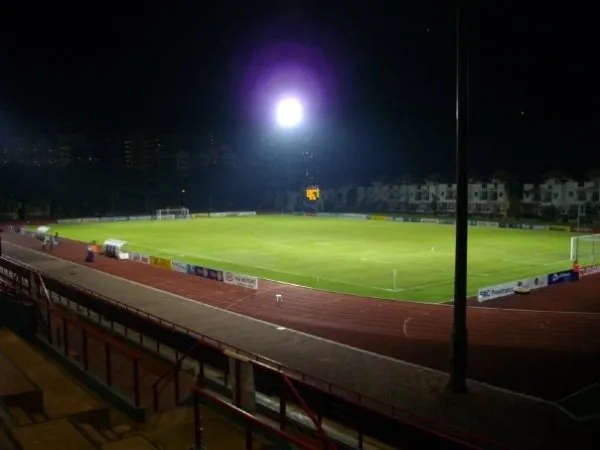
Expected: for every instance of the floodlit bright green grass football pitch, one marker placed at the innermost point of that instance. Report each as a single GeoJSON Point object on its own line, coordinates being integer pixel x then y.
{"type": "Point", "coordinates": [342, 255]}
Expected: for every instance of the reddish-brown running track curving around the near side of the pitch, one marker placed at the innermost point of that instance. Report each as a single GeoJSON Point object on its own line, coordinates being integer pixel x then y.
{"type": "Point", "coordinates": [544, 353]}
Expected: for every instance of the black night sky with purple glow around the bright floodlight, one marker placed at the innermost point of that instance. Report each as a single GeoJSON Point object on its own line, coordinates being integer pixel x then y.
{"type": "Point", "coordinates": [384, 74]}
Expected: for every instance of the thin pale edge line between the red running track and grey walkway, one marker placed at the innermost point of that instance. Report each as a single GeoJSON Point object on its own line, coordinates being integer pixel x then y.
{"type": "Point", "coordinates": [522, 395]}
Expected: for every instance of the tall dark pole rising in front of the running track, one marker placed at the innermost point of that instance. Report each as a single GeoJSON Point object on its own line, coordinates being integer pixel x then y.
{"type": "Point", "coordinates": [459, 355]}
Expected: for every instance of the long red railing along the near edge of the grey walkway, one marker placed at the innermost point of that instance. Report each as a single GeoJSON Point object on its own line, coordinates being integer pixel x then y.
{"type": "Point", "coordinates": [394, 412]}
